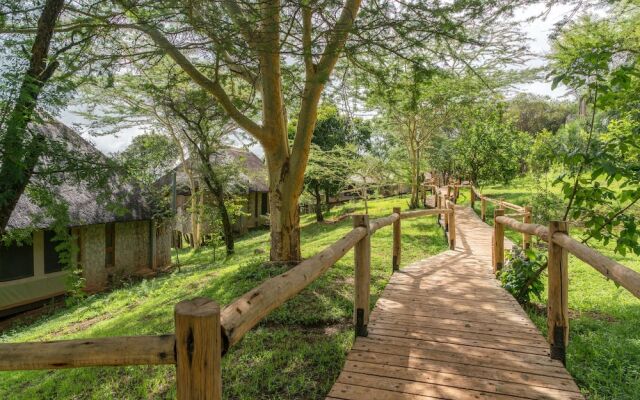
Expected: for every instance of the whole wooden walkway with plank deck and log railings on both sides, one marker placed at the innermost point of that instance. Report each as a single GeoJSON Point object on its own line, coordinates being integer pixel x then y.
{"type": "Point", "coordinates": [442, 329]}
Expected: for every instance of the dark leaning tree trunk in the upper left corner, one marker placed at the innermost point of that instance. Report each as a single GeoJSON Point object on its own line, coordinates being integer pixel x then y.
{"type": "Point", "coordinates": [19, 160]}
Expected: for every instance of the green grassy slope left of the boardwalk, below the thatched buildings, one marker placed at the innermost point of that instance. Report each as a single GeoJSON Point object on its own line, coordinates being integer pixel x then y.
{"type": "Point", "coordinates": [296, 353]}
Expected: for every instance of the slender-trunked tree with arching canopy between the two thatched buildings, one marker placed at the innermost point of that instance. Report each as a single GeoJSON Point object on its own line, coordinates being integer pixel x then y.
{"type": "Point", "coordinates": [166, 100]}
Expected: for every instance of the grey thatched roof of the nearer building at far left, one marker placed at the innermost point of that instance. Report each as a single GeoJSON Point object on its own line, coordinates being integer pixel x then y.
{"type": "Point", "coordinates": [86, 206]}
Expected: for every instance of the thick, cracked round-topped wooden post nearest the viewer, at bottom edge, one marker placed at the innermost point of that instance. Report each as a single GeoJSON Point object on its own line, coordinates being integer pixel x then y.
{"type": "Point", "coordinates": [198, 350]}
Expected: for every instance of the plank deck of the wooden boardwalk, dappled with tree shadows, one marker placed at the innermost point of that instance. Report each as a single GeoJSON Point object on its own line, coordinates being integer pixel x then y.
{"type": "Point", "coordinates": [444, 329]}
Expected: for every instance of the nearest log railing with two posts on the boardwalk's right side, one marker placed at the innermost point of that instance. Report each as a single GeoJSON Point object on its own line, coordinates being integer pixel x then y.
{"type": "Point", "coordinates": [560, 244]}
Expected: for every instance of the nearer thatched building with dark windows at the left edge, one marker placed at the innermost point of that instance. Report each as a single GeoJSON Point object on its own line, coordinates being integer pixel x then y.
{"type": "Point", "coordinates": [109, 245]}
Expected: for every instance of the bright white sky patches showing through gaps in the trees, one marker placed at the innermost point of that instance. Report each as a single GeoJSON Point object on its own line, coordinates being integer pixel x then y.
{"type": "Point", "coordinates": [538, 32]}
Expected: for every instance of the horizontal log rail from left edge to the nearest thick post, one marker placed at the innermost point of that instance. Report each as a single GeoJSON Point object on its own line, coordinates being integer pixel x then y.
{"type": "Point", "coordinates": [114, 351]}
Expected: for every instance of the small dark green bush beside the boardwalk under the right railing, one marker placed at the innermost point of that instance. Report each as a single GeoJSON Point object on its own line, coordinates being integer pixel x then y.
{"type": "Point", "coordinates": [522, 272]}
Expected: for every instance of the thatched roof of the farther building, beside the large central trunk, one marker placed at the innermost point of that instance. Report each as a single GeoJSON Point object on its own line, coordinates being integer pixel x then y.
{"type": "Point", "coordinates": [252, 173]}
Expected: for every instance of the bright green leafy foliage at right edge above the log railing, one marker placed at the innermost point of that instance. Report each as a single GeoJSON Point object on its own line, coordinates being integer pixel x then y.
{"type": "Point", "coordinates": [599, 58]}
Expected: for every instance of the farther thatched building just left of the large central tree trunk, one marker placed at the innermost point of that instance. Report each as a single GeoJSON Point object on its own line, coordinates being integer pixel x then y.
{"type": "Point", "coordinates": [252, 181]}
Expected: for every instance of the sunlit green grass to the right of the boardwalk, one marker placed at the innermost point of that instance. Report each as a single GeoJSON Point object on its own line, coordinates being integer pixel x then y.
{"type": "Point", "coordinates": [604, 348]}
